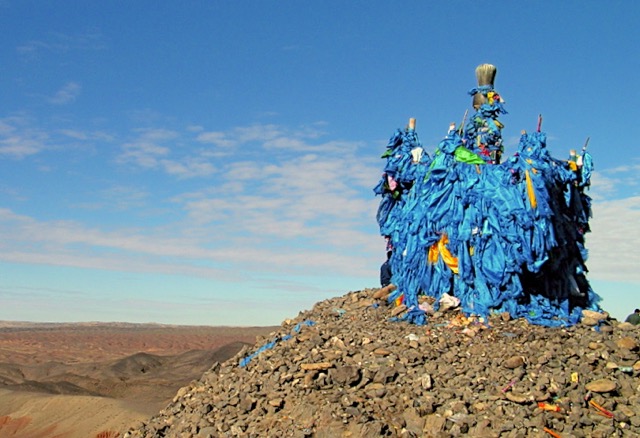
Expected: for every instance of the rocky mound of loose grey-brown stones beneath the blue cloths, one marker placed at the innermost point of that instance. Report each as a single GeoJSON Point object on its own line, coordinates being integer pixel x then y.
{"type": "Point", "coordinates": [349, 368]}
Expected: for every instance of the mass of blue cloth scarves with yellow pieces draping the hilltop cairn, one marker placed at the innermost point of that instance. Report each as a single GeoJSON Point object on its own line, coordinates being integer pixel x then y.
{"type": "Point", "coordinates": [500, 237]}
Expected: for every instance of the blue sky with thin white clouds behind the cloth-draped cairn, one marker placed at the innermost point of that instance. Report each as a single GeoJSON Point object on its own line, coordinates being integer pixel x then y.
{"type": "Point", "coordinates": [212, 162]}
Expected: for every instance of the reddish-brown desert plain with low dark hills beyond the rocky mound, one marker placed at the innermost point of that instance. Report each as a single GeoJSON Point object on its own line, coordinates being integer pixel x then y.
{"type": "Point", "coordinates": [93, 379]}
